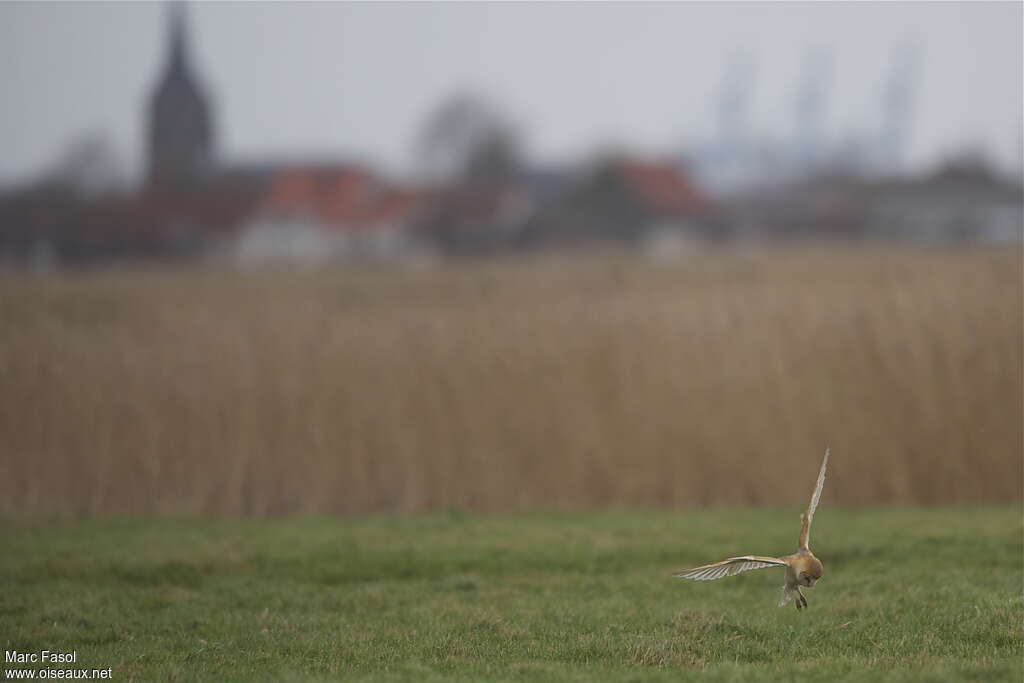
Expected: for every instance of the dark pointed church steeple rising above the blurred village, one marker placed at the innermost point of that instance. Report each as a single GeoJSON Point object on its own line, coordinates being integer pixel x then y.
{"type": "Point", "coordinates": [181, 145]}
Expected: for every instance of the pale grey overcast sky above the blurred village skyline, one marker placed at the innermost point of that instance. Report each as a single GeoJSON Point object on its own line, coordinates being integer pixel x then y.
{"type": "Point", "coordinates": [357, 80]}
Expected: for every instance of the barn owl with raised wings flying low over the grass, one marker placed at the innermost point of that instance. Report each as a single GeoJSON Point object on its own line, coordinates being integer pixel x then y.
{"type": "Point", "coordinates": [802, 569]}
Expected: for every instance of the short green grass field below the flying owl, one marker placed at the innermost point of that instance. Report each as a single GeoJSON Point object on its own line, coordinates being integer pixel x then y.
{"type": "Point", "coordinates": [909, 594]}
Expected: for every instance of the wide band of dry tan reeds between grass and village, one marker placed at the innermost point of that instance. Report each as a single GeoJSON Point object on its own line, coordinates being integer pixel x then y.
{"type": "Point", "coordinates": [598, 382]}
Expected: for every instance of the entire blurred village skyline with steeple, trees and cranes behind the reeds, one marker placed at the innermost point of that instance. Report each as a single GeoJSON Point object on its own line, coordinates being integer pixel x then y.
{"type": "Point", "coordinates": [485, 198]}
